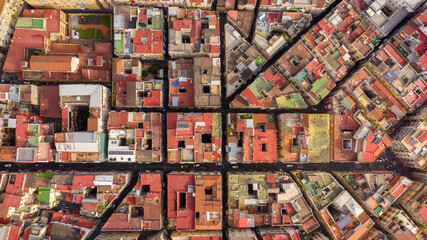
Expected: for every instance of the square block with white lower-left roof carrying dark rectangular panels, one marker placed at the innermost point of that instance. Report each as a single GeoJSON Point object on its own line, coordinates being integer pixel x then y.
{"type": "Point", "coordinates": [134, 137]}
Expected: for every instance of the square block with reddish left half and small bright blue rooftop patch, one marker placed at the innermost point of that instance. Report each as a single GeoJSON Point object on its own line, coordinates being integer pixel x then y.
{"type": "Point", "coordinates": [195, 82]}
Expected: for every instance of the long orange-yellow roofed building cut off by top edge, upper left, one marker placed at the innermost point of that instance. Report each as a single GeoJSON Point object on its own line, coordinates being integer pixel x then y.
{"type": "Point", "coordinates": [68, 5]}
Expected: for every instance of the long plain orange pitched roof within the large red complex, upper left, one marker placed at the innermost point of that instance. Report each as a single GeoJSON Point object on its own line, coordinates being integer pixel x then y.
{"type": "Point", "coordinates": [51, 63]}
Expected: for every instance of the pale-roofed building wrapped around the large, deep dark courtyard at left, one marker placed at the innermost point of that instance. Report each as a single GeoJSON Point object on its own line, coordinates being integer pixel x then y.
{"type": "Point", "coordinates": [84, 123]}
